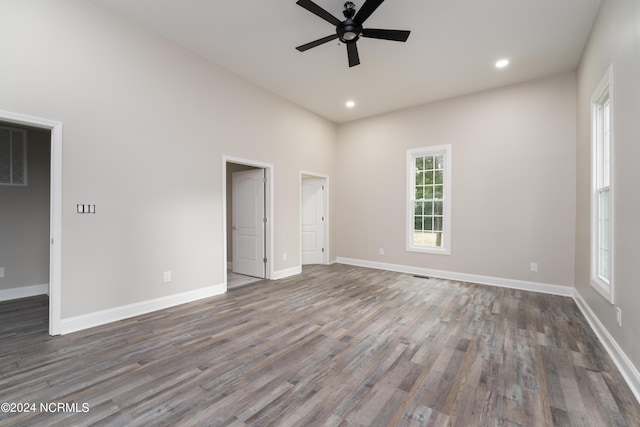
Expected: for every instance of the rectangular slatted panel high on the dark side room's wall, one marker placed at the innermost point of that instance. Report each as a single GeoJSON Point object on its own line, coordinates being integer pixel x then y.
{"type": "Point", "coordinates": [13, 156]}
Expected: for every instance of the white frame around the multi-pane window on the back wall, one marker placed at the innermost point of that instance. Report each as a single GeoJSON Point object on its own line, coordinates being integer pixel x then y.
{"type": "Point", "coordinates": [412, 154]}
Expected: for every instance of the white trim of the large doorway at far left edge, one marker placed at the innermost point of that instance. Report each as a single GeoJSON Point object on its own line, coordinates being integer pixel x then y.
{"type": "Point", "coordinates": [55, 211]}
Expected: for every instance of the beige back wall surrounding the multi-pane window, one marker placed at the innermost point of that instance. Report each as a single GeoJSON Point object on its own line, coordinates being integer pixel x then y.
{"type": "Point", "coordinates": [513, 199]}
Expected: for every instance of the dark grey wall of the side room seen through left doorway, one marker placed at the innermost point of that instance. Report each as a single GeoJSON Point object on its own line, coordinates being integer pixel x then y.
{"type": "Point", "coordinates": [24, 219]}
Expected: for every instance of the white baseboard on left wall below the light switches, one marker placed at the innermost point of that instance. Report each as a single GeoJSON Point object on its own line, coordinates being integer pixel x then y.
{"type": "Point", "coordinates": [85, 321]}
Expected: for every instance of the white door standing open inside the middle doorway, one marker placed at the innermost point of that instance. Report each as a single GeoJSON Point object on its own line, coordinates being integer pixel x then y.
{"type": "Point", "coordinates": [248, 222]}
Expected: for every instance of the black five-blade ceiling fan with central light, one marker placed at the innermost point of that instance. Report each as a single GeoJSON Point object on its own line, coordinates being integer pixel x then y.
{"type": "Point", "coordinates": [350, 30]}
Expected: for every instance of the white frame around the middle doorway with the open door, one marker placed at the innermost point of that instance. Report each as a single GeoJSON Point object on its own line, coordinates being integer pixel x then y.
{"type": "Point", "coordinates": [268, 197]}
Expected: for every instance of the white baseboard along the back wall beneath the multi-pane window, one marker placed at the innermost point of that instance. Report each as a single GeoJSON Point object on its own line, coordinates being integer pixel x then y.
{"type": "Point", "coordinates": [545, 288]}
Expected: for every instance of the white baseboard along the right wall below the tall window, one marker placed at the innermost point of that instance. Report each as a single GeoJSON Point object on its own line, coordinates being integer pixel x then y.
{"type": "Point", "coordinates": [624, 364]}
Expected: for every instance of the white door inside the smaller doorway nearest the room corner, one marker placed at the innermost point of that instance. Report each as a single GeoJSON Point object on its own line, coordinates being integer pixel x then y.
{"type": "Point", "coordinates": [313, 220]}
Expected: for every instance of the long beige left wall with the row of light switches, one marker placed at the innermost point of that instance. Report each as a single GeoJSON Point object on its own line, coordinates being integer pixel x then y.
{"type": "Point", "coordinates": [146, 124]}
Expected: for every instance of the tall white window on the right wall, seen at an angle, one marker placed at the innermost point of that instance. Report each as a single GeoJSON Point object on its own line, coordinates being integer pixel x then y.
{"type": "Point", "coordinates": [602, 187]}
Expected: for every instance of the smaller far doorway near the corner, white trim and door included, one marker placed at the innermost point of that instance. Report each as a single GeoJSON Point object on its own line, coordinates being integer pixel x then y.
{"type": "Point", "coordinates": [314, 219]}
